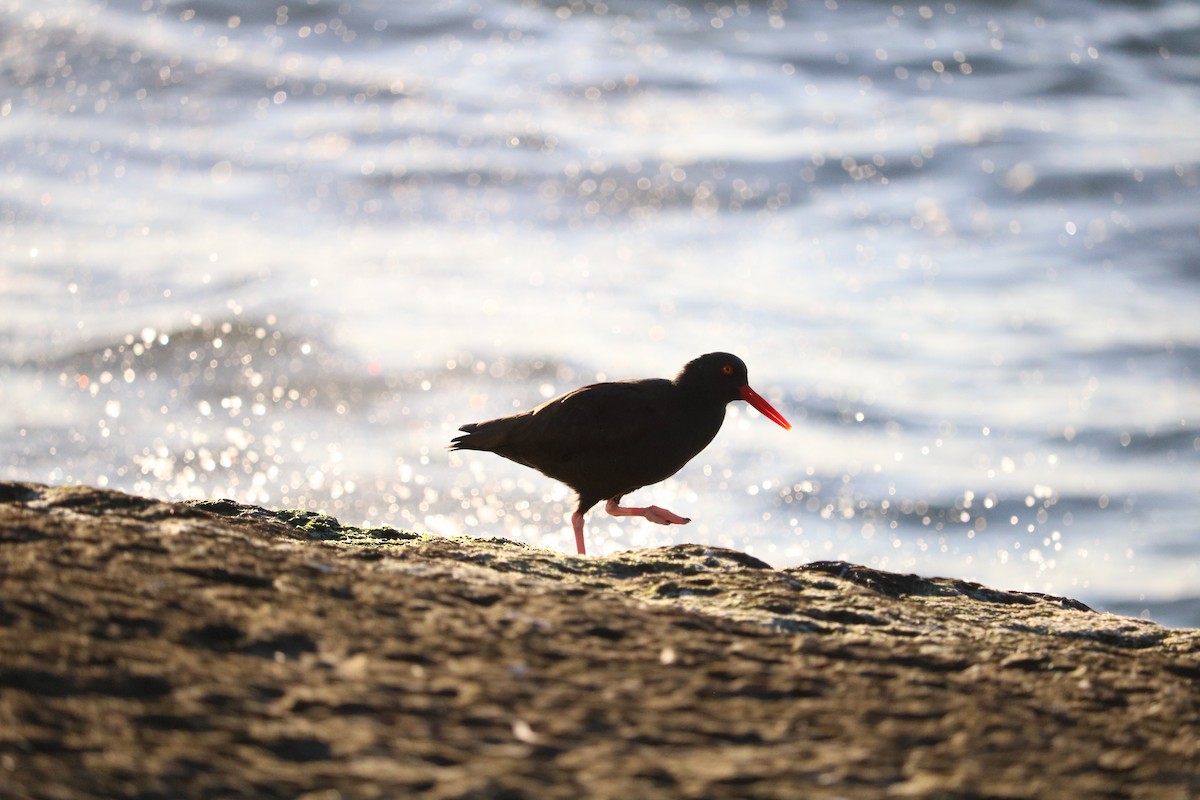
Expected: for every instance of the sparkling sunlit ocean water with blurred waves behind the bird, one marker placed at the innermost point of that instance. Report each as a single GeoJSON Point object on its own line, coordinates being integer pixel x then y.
{"type": "Point", "coordinates": [281, 251]}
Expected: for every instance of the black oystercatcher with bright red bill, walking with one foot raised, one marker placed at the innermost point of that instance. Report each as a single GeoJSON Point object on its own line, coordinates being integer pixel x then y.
{"type": "Point", "coordinates": [605, 441]}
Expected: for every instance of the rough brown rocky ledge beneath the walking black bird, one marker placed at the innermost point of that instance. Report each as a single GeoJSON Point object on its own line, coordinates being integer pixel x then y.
{"type": "Point", "coordinates": [214, 651]}
